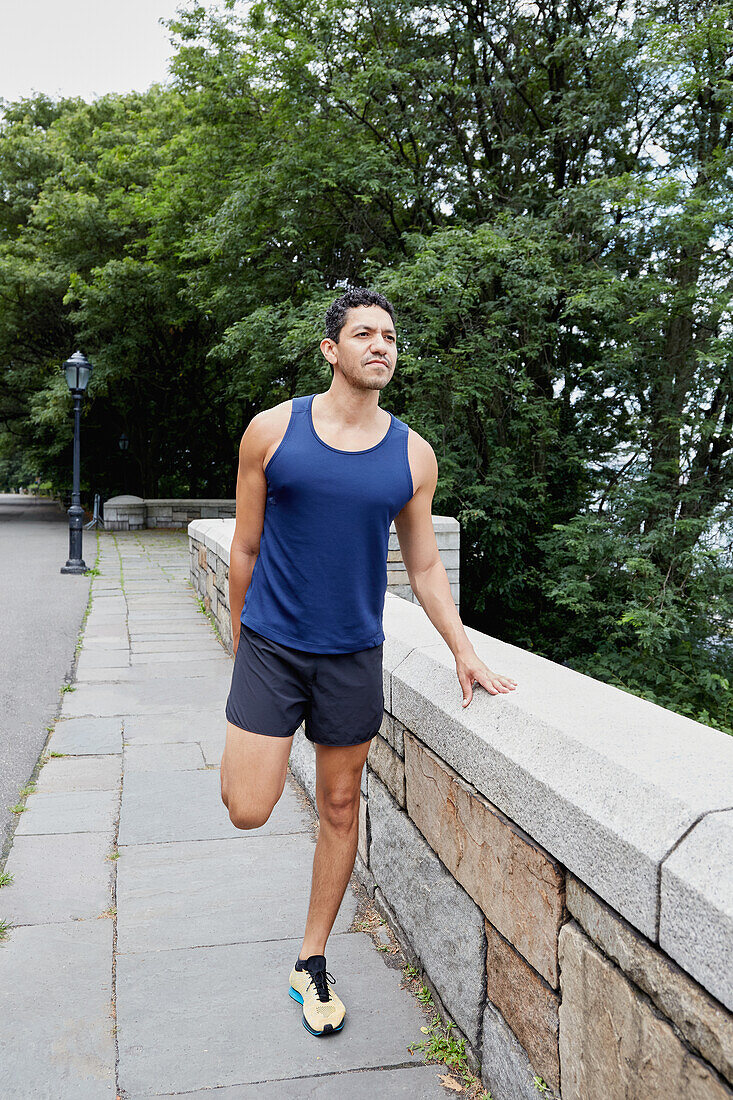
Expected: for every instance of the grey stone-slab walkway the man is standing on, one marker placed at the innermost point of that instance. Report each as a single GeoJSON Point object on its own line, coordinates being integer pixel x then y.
{"type": "Point", "coordinates": [152, 941]}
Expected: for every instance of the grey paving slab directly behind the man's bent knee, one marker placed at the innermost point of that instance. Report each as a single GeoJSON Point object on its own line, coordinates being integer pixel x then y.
{"type": "Point", "coordinates": [189, 807]}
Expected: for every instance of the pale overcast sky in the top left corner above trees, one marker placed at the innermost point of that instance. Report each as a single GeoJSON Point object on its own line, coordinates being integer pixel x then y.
{"type": "Point", "coordinates": [83, 48]}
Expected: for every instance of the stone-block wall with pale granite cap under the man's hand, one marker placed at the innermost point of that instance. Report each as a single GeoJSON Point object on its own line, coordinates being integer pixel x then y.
{"type": "Point", "coordinates": [557, 863]}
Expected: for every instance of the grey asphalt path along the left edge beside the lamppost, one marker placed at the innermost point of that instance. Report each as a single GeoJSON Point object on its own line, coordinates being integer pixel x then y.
{"type": "Point", "coordinates": [41, 613]}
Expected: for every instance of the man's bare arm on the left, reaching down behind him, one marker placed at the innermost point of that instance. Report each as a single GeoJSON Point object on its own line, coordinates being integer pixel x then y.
{"type": "Point", "coordinates": [251, 497]}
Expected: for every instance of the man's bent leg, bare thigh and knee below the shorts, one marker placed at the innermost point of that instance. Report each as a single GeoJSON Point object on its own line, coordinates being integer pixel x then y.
{"type": "Point", "coordinates": [253, 773]}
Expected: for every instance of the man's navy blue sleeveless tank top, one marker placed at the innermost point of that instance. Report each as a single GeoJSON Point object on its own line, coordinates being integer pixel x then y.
{"type": "Point", "coordinates": [321, 577]}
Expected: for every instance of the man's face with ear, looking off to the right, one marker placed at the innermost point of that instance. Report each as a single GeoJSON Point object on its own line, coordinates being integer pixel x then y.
{"type": "Point", "coordinates": [367, 351]}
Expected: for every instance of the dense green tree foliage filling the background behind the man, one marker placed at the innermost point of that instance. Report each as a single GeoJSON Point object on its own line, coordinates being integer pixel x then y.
{"type": "Point", "coordinates": [544, 191]}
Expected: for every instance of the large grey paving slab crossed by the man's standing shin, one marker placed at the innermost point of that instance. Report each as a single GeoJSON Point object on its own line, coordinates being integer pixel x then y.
{"type": "Point", "coordinates": [251, 888]}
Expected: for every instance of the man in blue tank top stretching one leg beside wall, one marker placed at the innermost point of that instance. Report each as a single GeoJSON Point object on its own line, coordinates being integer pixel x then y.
{"type": "Point", "coordinates": [321, 479]}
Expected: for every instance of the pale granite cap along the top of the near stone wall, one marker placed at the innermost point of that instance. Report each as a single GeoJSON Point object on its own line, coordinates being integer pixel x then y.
{"type": "Point", "coordinates": [609, 784]}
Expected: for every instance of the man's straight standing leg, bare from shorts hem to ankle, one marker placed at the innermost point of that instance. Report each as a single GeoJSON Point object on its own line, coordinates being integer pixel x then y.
{"type": "Point", "coordinates": [338, 783]}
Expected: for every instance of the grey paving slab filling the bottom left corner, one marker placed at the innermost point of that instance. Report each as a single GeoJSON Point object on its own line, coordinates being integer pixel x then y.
{"type": "Point", "coordinates": [57, 1042]}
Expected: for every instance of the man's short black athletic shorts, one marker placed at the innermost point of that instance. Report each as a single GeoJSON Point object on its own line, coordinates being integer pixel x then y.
{"type": "Point", "coordinates": [275, 688]}
